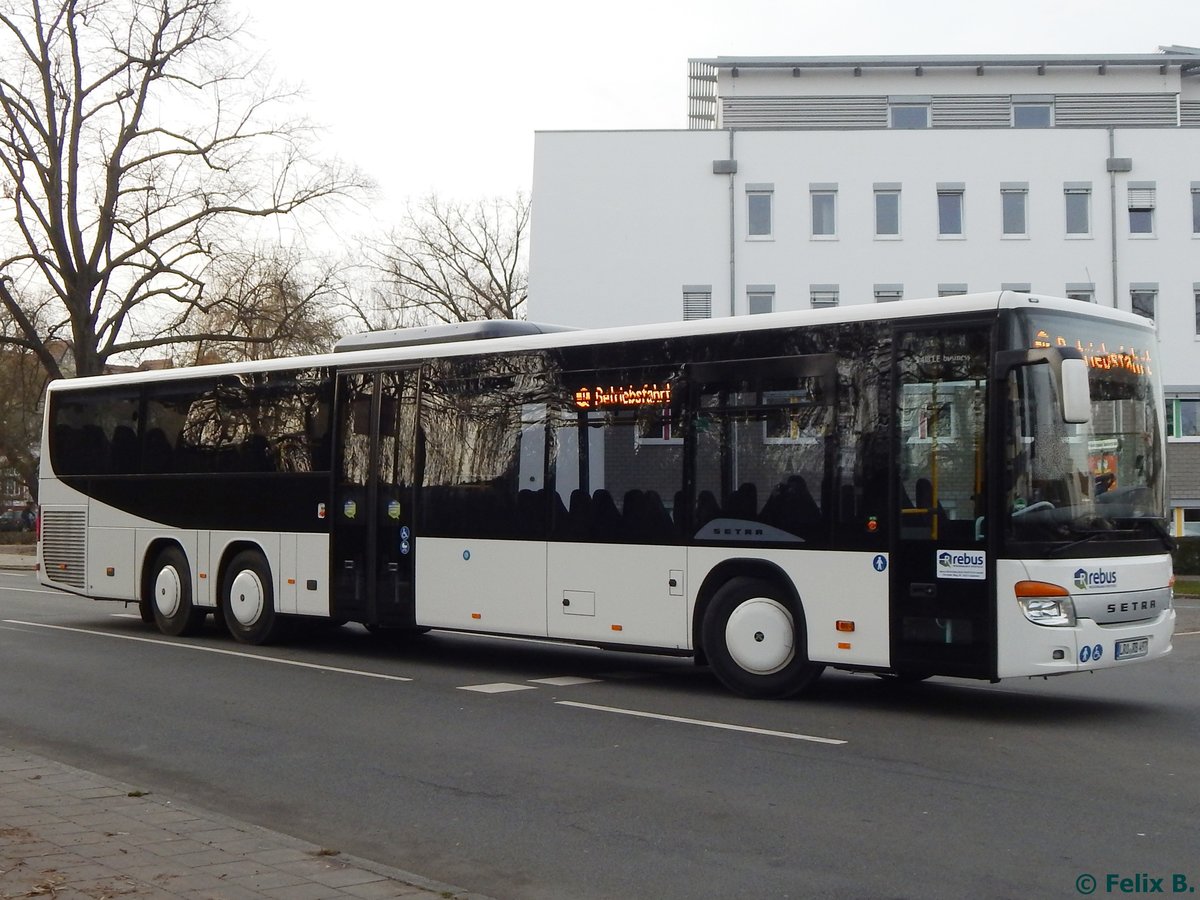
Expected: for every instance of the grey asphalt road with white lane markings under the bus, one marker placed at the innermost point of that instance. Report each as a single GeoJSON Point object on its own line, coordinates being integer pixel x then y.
{"type": "Point", "coordinates": [541, 771]}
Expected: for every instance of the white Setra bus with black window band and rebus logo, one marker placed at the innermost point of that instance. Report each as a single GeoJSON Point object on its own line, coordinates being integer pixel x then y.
{"type": "Point", "coordinates": [968, 487]}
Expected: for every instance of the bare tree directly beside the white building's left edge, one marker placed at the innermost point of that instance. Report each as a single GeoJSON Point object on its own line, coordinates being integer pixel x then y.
{"type": "Point", "coordinates": [454, 262]}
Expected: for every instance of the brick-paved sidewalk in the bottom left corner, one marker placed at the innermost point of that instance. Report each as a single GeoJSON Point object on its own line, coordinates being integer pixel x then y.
{"type": "Point", "coordinates": [71, 835]}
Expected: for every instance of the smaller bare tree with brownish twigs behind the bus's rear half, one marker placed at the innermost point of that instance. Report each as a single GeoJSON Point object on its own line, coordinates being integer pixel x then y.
{"type": "Point", "coordinates": [268, 304]}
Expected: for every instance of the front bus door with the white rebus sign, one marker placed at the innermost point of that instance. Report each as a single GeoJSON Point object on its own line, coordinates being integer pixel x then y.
{"type": "Point", "coordinates": [943, 620]}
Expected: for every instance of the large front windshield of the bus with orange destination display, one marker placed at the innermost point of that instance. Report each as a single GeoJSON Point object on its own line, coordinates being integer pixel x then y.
{"type": "Point", "coordinates": [1090, 483]}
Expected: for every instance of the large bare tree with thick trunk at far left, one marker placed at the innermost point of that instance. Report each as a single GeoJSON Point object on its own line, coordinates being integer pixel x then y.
{"type": "Point", "coordinates": [139, 142]}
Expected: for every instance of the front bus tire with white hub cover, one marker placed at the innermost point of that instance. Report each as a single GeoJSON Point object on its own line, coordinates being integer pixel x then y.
{"type": "Point", "coordinates": [755, 640]}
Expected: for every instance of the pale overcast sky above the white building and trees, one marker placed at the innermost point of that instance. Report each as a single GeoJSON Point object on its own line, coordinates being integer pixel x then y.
{"type": "Point", "coordinates": [446, 95]}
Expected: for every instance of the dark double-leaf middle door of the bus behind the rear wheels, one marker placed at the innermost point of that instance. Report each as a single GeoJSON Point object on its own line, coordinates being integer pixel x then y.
{"type": "Point", "coordinates": [374, 551]}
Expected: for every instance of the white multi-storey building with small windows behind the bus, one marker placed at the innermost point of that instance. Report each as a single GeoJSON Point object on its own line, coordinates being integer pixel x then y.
{"type": "Point", "coordinates": [817, 181]}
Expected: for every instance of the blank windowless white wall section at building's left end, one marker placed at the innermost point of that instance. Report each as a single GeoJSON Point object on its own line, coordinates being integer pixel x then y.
{"type": "Point", "coordinates": [622, 217]}
